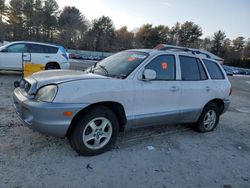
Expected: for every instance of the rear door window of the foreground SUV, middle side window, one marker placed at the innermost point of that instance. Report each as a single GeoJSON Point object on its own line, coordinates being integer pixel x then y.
{"type": "Point", "coordinates": [192, 69]}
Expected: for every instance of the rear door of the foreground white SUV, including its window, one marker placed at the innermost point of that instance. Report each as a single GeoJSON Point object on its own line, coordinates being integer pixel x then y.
{"type": "Point", "coordinates": [196, 89]}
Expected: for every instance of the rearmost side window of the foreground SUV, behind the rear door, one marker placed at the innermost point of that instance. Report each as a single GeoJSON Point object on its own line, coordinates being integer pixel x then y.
{"type": "Point", "coordinates": [214, 70]}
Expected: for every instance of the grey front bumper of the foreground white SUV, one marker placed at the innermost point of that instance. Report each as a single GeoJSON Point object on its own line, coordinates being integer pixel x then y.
{"type": "Point", "coordinates": [47, 118]}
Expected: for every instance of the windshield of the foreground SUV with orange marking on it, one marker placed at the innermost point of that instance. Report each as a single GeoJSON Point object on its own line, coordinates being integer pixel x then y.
{"type": "Point", "coordinates": [119, 65]}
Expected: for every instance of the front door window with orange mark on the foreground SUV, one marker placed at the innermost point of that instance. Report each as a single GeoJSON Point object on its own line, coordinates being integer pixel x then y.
{"type": "Point", "coordinates": [164, 66]}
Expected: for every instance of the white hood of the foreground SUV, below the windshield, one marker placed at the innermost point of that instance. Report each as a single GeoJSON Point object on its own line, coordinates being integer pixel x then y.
{"type": "Point", "coordinates": [59, 76]}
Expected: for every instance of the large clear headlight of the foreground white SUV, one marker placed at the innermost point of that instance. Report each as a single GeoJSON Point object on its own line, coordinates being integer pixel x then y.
{"type": "Point", "coordinates": [46, 93]}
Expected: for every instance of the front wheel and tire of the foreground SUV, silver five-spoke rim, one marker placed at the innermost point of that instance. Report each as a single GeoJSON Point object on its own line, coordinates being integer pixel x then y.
{"type": "Point", "coordinates": [95, 132]}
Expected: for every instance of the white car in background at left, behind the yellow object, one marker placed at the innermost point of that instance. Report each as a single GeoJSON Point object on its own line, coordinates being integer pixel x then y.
{"type": "Point", "coordinates": [51, 56]}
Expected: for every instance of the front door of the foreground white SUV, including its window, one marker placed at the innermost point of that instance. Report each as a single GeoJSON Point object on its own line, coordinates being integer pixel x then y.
{"type": "Point", "coordinates": [157, 101]}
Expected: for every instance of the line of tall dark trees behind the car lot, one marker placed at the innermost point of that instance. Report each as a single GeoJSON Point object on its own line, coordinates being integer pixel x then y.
{"type": "Point", "coordinates": [41, 20]}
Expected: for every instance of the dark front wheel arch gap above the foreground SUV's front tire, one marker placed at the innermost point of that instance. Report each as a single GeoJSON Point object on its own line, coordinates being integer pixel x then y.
{"type": "Point", "coordinates": [116, 107]}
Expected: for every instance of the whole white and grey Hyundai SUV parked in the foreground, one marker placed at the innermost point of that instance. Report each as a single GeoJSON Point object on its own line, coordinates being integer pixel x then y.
{"type": "Point", "coordinates": [129, 88]}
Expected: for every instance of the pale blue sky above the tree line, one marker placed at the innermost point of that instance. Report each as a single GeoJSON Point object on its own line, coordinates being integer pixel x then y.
{"type": "Point", "coordinates": [231, 16]}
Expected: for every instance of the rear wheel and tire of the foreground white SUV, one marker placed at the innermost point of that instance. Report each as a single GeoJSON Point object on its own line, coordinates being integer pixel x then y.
{"type": "Point", "coordinates": [209, 118]}
